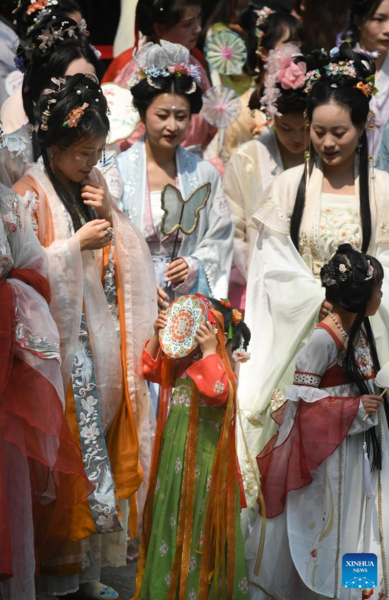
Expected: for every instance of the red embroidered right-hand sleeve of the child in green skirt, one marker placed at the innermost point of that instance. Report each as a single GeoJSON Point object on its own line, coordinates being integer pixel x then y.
{"type": "Point", "coordinates": [211, 379]}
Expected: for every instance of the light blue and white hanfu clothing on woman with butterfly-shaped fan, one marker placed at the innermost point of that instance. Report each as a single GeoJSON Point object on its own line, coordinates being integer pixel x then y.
{"type": "Point", "coordinates": [208, 250]}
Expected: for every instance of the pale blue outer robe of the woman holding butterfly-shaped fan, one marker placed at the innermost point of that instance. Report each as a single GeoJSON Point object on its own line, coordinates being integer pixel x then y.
{"type": "Point", "coordinates": [212, 241]}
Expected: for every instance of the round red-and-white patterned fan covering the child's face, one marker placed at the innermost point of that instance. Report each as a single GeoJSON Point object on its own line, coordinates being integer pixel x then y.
{"type": "Point", "coordinates": [184, 316]}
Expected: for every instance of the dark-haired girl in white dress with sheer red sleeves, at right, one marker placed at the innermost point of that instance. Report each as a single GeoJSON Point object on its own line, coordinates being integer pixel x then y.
{"type": "Point", "coordinates": [325, 475]}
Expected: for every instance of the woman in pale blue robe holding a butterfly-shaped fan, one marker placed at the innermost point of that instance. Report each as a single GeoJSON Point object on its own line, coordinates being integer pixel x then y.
{"type": "Point", "coordinates": [167, 92]}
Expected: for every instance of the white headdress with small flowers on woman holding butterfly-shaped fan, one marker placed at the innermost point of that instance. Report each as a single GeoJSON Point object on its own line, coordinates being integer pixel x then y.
{"type": "Point", "coordinates": [163, 60]}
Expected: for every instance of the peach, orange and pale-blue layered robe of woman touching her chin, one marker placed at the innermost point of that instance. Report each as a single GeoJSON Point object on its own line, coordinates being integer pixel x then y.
{"type": "Point", "coordinates": [103, 304]}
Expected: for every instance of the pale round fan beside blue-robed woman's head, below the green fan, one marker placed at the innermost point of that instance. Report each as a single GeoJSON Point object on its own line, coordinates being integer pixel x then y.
{"type": "Point", "coordinates": [221, 106]}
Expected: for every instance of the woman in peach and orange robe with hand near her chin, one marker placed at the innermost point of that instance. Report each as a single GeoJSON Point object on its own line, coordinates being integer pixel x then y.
{"type": "Point", "coordinates": [101, 275]}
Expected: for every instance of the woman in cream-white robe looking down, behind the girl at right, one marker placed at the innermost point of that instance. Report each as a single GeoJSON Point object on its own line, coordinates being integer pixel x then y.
{"type": "Point", "coordinates": [301, 221]}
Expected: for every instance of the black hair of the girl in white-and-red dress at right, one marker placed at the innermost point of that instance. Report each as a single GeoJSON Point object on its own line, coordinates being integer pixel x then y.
{"type": "Point", "coordinates": [351, 286]}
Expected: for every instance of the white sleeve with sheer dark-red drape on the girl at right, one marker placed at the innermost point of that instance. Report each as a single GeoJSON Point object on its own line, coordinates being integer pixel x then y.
{"type": "Point", "coordinates": [310, 430]}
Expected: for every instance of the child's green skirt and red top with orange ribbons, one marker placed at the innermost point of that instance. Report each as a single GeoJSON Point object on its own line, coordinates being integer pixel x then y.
{"type": "Point", "coordinates": [200, 415]}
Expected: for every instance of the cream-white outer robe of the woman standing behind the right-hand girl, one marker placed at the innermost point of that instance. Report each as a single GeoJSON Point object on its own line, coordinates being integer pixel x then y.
{"type": "Point", "coordinates": [284, 299]}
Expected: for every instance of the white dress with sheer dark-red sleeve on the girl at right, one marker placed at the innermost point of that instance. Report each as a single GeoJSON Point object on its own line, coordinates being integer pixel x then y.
{"type": "Point", "coordinates": [314, 484]}
